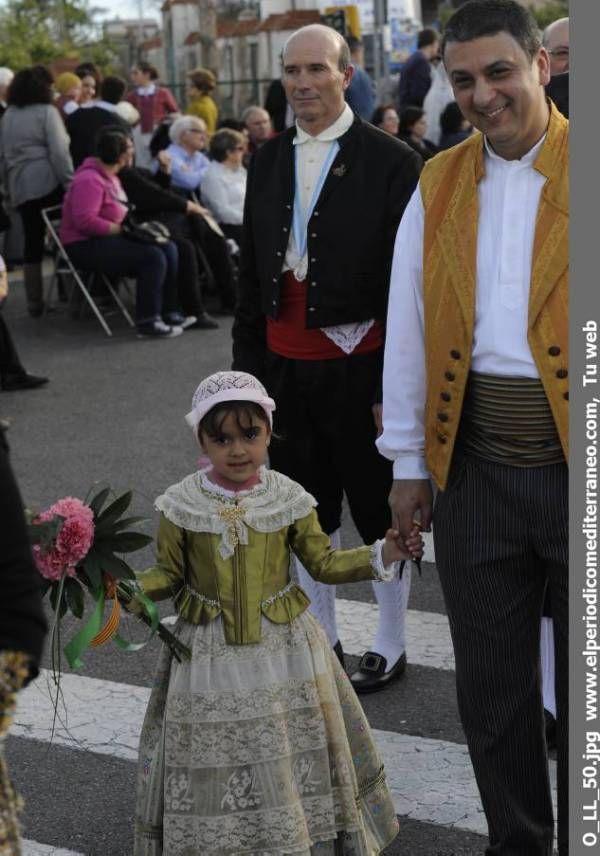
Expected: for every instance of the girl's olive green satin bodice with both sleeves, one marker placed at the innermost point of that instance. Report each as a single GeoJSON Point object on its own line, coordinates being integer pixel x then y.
{"type": "Point", "coordinates": [254, 581]}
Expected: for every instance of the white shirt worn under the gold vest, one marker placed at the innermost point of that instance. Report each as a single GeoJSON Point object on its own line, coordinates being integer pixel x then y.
{"type": "Point", "coordinates": [508, 198]}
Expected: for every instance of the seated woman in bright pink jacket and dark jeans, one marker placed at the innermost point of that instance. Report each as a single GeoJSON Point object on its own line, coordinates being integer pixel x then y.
{"type": "Point", "coordinates": [93, 210]}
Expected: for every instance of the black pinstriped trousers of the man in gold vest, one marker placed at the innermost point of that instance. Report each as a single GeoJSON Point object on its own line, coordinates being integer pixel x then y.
{"type": "Point", "coordinates": [501, 537]}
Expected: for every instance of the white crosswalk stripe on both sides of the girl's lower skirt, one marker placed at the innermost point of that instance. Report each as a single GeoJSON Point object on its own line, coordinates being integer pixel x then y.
{"type": "Point", "coordinates": [106, 717]}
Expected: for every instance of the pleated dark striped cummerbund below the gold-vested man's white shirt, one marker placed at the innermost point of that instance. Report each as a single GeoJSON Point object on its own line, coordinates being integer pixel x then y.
{"type": "Point", "coordinates": [508, 420]}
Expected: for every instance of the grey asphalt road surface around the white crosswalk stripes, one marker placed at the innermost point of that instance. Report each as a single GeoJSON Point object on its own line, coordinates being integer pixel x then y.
{"type": "Point", "coordinates": [113, 413]}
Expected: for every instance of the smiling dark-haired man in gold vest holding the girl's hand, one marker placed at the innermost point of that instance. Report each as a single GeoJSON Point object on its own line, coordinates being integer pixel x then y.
{"type": "Point", "coordinates": [475, 398]}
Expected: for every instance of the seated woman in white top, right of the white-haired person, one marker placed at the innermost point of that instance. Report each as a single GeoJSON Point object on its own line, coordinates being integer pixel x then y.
{"type": "Point", "coordinates": [224, 182]}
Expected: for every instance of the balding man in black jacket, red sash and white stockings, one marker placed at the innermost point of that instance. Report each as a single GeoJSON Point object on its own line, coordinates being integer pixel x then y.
{"type": "Point", "coordinates": [323, 204]}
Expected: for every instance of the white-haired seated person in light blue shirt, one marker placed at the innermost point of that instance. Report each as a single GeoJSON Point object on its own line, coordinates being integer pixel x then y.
{"type": "Point", "coordinates": [188, 163]}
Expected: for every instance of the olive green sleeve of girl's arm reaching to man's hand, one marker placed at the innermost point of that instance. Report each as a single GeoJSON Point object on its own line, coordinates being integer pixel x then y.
{"type": "Point", "coordinates": [324, 564]}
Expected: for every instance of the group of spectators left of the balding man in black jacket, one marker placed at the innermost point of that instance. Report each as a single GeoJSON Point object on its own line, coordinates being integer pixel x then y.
{"type": "Point", "coordinates": [83, 142]}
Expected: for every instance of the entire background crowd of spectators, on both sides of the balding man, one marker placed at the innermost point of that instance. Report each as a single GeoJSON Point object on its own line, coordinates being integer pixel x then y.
{"type": "Point", "coordinates": [123, 153]}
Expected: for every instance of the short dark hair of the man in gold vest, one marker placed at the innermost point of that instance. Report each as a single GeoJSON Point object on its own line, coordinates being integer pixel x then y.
{"type": "Point", "coordinates": [479, 18]}
